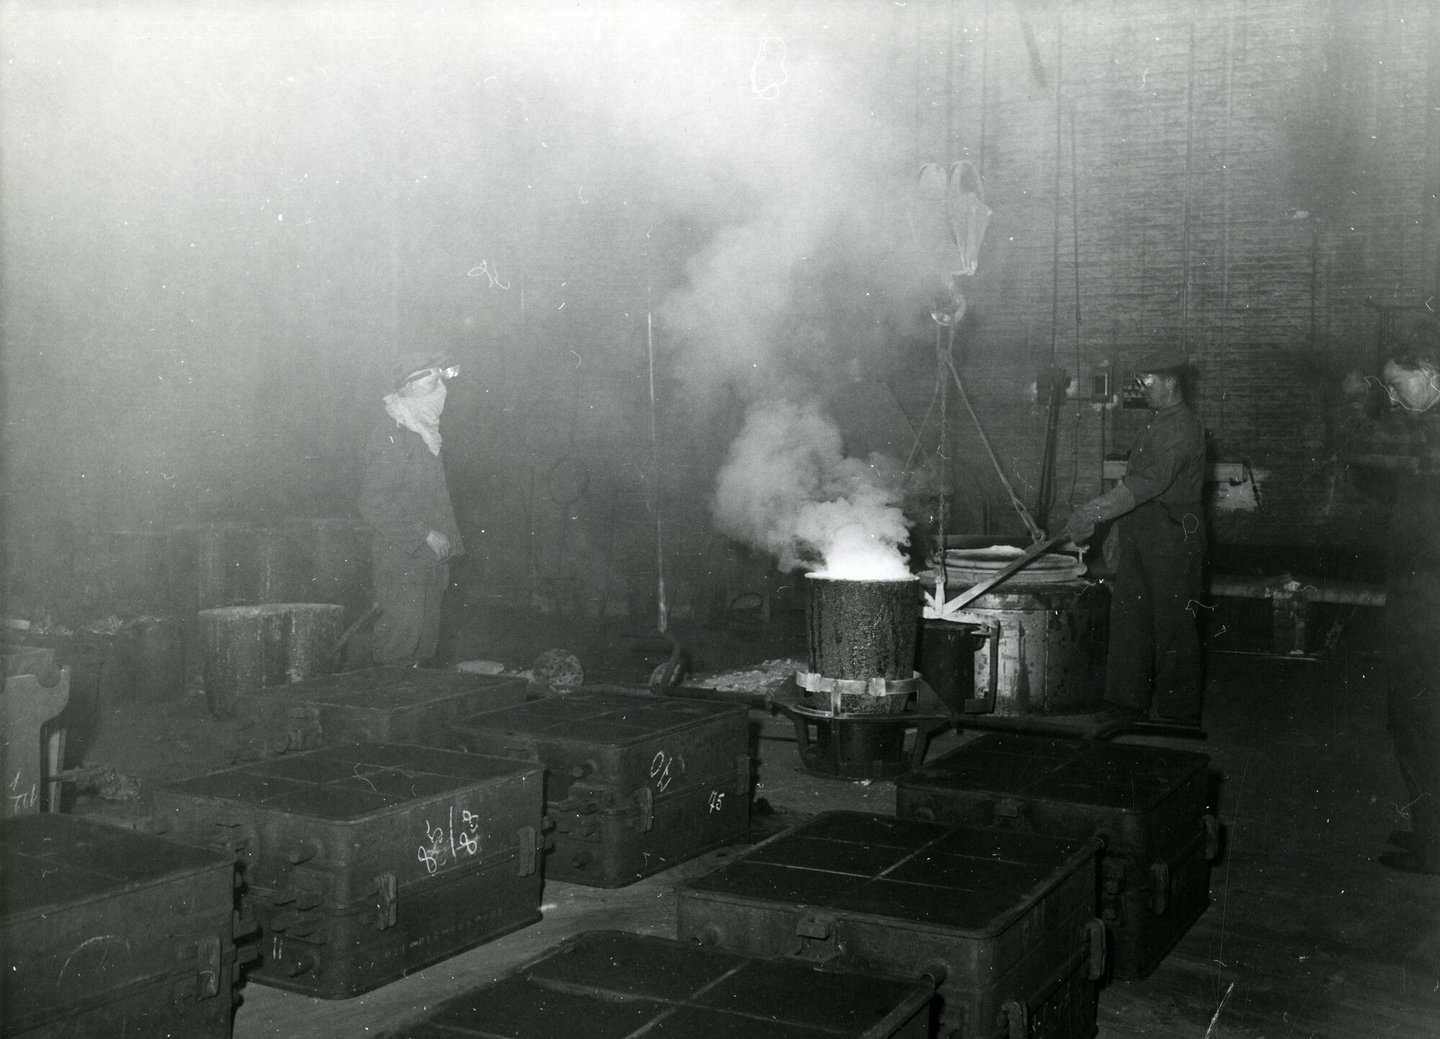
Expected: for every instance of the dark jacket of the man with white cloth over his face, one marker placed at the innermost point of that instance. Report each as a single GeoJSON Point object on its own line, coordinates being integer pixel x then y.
{"type": "Point", "coordinates": [404, 494]}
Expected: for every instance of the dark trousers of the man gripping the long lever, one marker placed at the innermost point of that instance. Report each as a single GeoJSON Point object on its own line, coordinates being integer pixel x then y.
{"type": "Point", "coordinates": [1154, 604]}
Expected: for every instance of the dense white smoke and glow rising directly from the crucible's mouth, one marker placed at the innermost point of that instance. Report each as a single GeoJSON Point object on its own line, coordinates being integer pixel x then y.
{"type": "Point", "coordinates": [788, 490]}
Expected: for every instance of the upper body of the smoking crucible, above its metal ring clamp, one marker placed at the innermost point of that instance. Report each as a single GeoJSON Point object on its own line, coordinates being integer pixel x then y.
{"type": "Point", "coordinates": [862, 630]}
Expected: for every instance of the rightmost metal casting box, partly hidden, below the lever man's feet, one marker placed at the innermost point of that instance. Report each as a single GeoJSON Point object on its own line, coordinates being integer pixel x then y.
{"type": "Point", "coordinates": [1147, 805]}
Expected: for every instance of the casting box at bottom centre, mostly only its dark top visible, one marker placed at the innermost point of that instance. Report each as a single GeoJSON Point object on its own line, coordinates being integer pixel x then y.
{"type": "Point", "coordinates": [607, 984]}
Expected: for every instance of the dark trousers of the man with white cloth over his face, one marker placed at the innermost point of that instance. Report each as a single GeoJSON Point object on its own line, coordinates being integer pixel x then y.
{"type": "Point", "coordinates": [410, 588]}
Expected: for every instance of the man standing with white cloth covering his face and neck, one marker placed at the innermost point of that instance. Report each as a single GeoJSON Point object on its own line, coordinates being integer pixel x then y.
{"type": "Point", "coordinates": [405, 502]}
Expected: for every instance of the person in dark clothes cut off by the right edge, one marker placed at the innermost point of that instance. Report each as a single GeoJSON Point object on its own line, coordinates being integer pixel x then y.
{"type": "Point", "coordinates": [1406, 444]}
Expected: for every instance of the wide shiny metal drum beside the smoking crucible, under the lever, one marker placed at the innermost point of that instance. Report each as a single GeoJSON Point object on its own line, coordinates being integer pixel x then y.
{"type": "Point", "coordinates": [1052, 648]}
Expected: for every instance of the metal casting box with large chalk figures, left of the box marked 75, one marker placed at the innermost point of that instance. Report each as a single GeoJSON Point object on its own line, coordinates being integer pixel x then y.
{"type": "Point", "coordinates": [364, 864]}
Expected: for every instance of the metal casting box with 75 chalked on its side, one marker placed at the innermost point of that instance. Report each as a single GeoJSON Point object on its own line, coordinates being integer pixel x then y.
{"type": "Point", "coordinates": [634, 784]}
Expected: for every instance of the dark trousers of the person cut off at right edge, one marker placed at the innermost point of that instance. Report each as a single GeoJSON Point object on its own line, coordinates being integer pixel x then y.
{"type": "Point", "coordinates": [1413, 673]}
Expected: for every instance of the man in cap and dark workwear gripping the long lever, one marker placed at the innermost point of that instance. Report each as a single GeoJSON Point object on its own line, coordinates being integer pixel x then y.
{"type": "Point", "coordinates": [1154, 657]}
